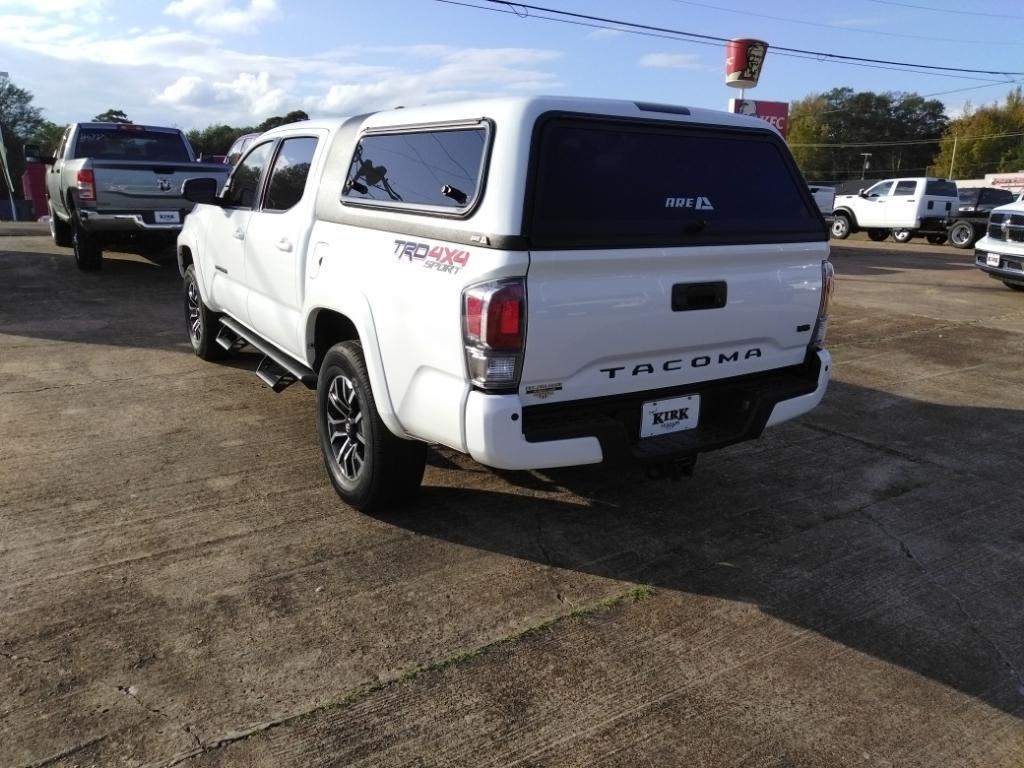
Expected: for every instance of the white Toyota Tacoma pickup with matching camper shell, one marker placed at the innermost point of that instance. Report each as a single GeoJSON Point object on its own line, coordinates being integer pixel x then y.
{"type": "Point", "coordinates": [536, 282]}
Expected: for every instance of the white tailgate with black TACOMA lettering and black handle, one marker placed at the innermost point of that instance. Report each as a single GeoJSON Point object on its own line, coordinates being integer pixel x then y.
{"type": "Point", "coordinates": [615, 322]}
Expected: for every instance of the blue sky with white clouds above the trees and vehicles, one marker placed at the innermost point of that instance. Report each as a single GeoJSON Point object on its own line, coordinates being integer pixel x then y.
{"type": "Point", "coordinates": [197, 63]}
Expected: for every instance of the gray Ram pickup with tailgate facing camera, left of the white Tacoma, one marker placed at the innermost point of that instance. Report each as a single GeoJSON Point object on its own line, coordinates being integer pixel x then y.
{"type": "Point", "coordinates": [120, 183]}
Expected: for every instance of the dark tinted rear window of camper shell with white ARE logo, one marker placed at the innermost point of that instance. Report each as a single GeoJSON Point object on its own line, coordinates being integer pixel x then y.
{"type": "Point", "coordinates": [604, 183]}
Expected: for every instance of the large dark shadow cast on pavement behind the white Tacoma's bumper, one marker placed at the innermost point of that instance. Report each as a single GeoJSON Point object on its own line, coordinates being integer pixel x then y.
{"type": "Point", "coordinates": [900, 556]}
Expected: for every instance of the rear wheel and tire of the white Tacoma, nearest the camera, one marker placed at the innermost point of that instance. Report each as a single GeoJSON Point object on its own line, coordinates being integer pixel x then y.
{"type": "Point", "coordinates": [370, 467]}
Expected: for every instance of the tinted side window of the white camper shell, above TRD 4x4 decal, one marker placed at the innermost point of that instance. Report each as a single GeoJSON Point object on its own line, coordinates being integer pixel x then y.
{"type": "Point", "coordinates": [434, 169]}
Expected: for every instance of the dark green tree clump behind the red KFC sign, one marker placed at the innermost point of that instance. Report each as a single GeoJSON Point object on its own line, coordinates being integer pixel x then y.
{"type": "Point", "coordinates": [831, 133]}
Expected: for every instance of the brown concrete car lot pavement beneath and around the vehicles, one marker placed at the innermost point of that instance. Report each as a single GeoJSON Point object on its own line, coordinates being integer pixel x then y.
{"type": "Point", "coordinates": [180, 585]}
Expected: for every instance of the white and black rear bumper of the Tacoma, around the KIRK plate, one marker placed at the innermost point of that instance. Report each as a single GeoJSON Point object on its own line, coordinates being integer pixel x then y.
{"type": "Point", "coordinates": [500, 433]}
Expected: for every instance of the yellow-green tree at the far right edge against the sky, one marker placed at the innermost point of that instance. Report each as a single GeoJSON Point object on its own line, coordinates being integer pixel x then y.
{"type": "Point", "coordinates": [982, 141]}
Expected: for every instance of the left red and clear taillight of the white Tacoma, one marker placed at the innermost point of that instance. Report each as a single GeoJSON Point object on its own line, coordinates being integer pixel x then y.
{"type": "Point", "coordinates": [494, 323]}
